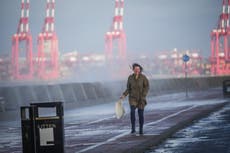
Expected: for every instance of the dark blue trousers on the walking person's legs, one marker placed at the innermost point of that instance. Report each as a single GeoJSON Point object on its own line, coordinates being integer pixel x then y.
{"type": "Point", "coordinates": [133, 118]}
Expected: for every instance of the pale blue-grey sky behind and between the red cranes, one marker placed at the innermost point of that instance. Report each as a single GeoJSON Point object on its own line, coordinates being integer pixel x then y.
{"type": "Point", "coordinates": [150, 25]}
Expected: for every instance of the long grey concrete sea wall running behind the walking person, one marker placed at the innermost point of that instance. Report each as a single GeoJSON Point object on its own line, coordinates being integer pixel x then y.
{"type": "Point", "coordinates": [85, 94]}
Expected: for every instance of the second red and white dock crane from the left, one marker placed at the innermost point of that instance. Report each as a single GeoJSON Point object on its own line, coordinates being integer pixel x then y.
{"type": "Point", "coordinates": [48, 46]}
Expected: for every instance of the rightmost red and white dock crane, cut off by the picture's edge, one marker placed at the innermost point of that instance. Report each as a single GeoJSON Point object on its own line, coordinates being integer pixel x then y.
{"type": "Point", "coordinates": [220, 47]}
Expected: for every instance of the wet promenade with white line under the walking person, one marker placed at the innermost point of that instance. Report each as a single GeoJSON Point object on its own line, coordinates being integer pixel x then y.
{"type": "Point", "coordinates": [95, 129]}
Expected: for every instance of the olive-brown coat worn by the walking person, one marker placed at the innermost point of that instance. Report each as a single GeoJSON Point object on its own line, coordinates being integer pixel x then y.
{"type": "Point", "coordinates": [137, 89]}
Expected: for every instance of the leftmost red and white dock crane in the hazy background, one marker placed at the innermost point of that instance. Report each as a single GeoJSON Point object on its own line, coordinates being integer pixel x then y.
{"type": "Point", "coordinates": [22, 65]}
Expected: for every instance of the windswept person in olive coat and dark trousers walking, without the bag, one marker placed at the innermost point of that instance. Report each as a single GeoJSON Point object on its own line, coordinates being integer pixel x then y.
{"type": "Point", "coordinates": [137, 89]}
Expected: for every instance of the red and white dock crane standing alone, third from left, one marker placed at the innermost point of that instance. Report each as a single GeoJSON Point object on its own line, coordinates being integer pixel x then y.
{"type": "Point", "coordinates": [116, 33]}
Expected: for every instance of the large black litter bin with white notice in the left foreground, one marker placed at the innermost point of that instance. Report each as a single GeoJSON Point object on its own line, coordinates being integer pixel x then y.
{"type": "Point", "coordinates": [42, 128]}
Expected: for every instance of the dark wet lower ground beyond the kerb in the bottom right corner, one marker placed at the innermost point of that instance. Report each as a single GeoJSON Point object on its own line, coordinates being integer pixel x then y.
{"type": "Point", "coordinates": [208, 135]}
